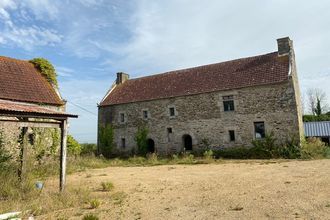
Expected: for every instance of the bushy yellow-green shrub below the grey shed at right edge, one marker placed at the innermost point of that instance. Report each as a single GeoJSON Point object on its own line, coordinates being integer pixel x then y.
{"type": "Point", "coordinates": [314, 148]}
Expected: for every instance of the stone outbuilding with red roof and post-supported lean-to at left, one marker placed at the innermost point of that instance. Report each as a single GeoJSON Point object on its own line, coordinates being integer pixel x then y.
{"type": "Point", "coordinates": [33, 121]}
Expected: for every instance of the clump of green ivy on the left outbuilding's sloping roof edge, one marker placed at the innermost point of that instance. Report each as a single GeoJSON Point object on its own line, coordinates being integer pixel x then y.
{"type": "Point", "coordinates": [46, 69]}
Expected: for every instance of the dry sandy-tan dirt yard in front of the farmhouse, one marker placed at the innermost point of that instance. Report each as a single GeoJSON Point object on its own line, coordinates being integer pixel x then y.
{"type": "Point", "coordinates": [229, 190]}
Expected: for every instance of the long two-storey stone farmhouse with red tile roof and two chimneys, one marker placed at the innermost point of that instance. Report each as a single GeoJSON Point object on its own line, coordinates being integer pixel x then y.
{"type": "Point", "coordinates": [224, 104]}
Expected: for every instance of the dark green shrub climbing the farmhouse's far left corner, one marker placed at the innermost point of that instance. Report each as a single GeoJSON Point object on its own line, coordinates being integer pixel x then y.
{"type": "Point", "coordinates": [106, 143]}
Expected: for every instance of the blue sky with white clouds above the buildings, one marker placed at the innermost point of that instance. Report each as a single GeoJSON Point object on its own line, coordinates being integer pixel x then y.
{"type": "Point", "coordinates": [88, 41]}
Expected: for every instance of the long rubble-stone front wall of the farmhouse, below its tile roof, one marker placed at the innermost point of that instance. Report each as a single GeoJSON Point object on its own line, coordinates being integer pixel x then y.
{"type": "Point", "coordinates": [203, 117]}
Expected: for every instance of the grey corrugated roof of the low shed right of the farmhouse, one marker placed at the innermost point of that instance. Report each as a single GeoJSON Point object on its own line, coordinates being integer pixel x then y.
{"type": "Point", "coordinates": [317, 129]}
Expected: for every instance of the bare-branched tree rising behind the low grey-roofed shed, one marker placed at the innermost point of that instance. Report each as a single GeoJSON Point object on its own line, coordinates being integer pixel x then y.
{"type": "Point", "coordinates": [317, 101]}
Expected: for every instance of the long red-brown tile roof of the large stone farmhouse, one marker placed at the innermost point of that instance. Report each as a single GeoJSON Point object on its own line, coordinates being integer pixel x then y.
{"type": "Point", "coordinates": [245, 72]}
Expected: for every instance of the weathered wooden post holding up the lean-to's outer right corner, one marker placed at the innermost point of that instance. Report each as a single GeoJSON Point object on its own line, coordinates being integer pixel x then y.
{"type": "Point", "coordinates": [63, 154]}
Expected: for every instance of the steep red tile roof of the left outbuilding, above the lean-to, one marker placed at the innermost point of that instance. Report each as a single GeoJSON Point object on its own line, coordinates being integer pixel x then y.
{"type": "Point", "coordinates": [20, 81]}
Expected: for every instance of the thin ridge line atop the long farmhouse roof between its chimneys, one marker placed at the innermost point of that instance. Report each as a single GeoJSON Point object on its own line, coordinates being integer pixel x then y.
{"type": "Point", "coordinates": [201, 66]}
